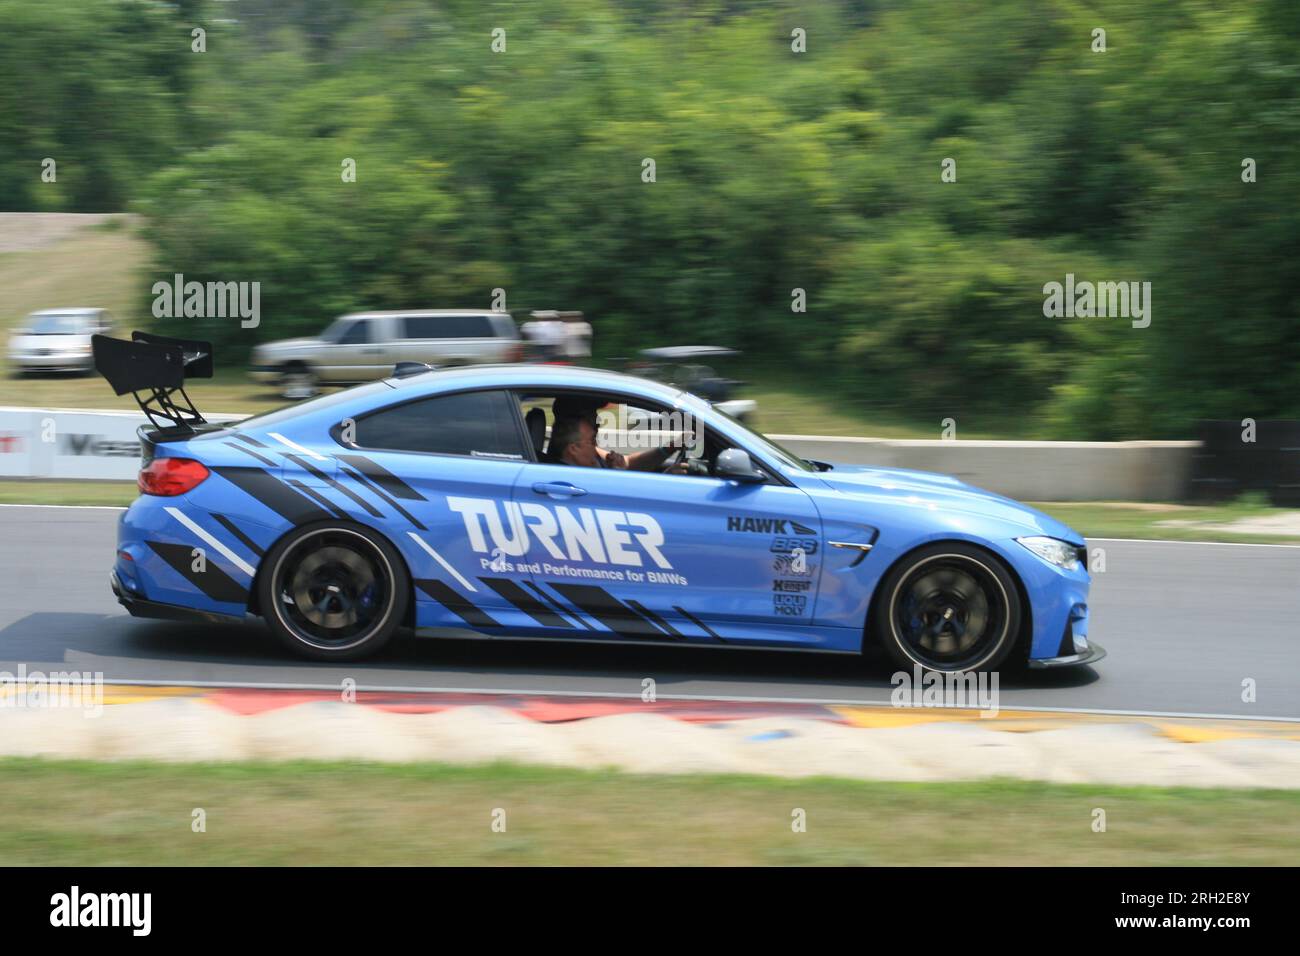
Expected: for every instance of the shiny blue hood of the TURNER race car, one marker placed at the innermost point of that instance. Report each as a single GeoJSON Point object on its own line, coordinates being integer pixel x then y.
{"type": "Point", "coordinates": [946, 492]}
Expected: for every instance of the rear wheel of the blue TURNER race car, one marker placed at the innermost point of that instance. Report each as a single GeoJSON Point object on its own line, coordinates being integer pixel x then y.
{"type": "Point", "coordinates": [333, 592]}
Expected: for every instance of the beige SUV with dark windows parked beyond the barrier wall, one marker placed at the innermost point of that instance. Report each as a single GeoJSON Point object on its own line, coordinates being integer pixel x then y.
{"type": "Point", "coordinates": [367, 345]}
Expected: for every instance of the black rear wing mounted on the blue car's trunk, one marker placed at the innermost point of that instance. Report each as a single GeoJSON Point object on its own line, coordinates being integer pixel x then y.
{"type": "Point", "coordinates": [154, 370]}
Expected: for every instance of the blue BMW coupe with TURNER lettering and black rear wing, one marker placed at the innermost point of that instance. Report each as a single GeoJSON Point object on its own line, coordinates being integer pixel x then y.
{"type": "Point", "coordinates": [486, 503]}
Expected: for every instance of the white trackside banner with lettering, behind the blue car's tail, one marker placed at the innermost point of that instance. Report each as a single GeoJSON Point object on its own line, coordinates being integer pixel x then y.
{"type": "Point", "coordinates": [72, 443]}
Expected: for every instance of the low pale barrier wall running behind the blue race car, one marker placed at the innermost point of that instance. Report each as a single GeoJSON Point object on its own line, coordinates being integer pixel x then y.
{"type": "Point", "coordinates": [81, 444]}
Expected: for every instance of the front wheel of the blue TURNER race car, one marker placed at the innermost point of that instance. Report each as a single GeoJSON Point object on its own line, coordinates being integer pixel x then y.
{"type": "Point", "coordinates": [948, 608]}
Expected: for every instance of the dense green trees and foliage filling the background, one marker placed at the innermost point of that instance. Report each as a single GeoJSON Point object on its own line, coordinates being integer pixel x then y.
{"type": "Point", "coordinates": [774, 171]}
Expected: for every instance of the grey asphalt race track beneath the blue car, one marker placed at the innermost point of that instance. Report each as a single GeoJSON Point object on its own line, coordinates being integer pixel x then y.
{"type": "Point", "coordinates": [1184, 624]}
